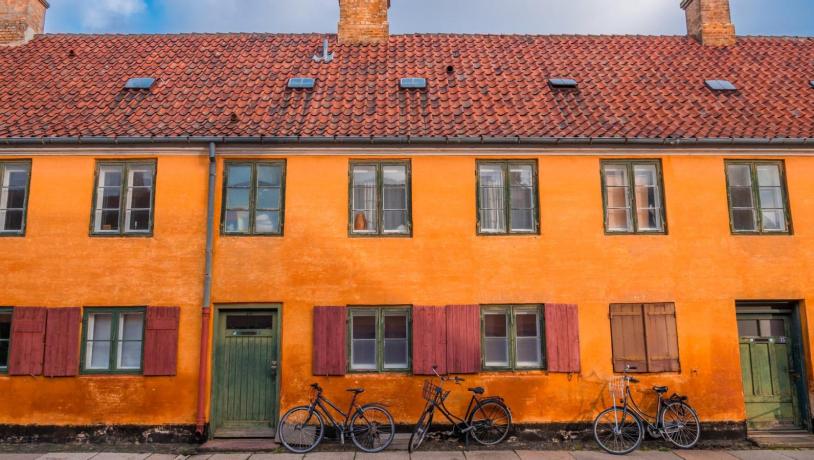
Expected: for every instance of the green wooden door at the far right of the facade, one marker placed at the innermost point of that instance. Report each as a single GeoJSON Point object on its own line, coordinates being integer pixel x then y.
{"type": "Point", "coordinates": [767, 371]}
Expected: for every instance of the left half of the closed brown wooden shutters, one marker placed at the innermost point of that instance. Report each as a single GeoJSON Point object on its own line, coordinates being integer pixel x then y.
{"type": "Point", "coordinates": [627, 337]}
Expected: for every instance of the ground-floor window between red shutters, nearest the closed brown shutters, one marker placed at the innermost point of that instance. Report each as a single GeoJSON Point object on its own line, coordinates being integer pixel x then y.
{"type": "Point", "coordinates": [513, 337]}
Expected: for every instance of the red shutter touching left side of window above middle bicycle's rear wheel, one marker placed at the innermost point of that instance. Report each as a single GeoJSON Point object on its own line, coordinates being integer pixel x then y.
{"type": "Point", "coordinates": [463, 339]}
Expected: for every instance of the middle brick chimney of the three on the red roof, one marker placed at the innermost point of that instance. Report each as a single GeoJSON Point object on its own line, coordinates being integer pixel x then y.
{"type": "Point", "coordinates": [363, 21]}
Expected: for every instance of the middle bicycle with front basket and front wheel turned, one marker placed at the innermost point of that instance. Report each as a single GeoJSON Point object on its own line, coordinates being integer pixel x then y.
{"type": "Point", "coordinates": [488, 420]}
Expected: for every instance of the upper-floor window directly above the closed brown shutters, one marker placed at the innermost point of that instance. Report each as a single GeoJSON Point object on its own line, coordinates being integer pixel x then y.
{"type": "Point", "coordinates": [633, 196]}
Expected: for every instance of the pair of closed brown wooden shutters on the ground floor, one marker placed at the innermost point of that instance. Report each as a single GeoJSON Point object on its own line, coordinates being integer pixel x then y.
{"type": "Point", "coordinates": [644, 337]}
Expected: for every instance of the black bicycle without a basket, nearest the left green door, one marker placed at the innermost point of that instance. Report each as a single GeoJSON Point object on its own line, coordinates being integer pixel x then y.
{"type": "Point", "coordinates": [370, 426]}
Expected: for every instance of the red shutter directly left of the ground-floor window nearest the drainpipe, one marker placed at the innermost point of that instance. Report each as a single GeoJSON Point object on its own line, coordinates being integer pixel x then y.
{"type": "Point", "coordinates": [62, 342]}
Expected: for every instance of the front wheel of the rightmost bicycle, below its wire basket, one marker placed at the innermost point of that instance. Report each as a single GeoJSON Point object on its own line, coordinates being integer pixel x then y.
{"type": "Point", "coordinates": [618, 431]}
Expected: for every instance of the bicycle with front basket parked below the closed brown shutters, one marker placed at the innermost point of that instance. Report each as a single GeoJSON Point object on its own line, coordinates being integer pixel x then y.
{"type": "Point", "coordinates": [619, 429]}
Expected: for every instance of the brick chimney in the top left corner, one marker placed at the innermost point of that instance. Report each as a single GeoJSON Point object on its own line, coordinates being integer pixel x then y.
{"type": "Point", "coordinates": [20, 20]}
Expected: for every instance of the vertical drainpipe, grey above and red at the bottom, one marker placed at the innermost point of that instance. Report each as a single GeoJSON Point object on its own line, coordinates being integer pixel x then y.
{"type": "Point", "coordinates": [207, 296]}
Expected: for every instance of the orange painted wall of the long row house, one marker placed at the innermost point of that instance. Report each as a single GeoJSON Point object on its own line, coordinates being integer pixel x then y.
{"type": "Point", "coordinates": [700, 266]}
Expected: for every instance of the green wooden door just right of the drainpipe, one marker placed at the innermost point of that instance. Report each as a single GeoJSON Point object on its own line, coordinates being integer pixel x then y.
{"type": "Point", "coordinates": [246, 374]}
